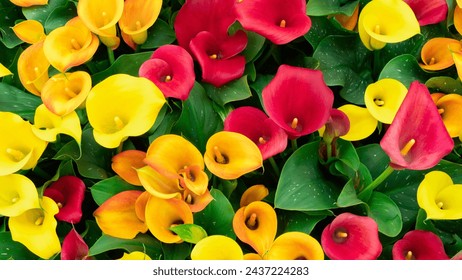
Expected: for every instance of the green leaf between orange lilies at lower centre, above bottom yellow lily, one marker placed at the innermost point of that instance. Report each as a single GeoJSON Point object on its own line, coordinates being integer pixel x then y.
{"type": "Point", "coordinates": [217, 217]}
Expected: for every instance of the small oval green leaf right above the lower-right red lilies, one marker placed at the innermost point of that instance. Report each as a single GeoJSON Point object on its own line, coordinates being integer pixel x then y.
{"type": "Point", "coordinates": [386, 213]}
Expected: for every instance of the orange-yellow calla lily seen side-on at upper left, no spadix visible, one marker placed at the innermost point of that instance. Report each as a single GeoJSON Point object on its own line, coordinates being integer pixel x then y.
{"type": "Point", "coordinates": [33, 68]}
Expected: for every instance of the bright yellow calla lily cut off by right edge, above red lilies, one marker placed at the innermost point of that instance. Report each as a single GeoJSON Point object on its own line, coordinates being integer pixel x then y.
{"type": "Point", "coordinates": [440, 197]}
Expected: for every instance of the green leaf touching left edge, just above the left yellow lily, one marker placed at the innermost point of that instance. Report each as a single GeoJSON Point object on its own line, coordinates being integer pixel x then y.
{"type": "Point", "coordinates": [18, 102]}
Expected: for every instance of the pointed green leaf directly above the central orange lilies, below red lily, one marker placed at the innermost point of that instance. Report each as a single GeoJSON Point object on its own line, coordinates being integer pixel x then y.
{"type": "Point", "coordinates": [198, 120]}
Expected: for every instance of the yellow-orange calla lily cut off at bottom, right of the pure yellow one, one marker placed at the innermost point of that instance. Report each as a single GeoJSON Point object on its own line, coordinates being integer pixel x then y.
{"type": "Point", "coordinates": [295, 246]}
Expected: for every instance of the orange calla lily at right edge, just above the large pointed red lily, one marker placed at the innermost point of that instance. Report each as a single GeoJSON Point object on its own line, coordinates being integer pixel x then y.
{"type": "Point", "coordinates": [436, 54]}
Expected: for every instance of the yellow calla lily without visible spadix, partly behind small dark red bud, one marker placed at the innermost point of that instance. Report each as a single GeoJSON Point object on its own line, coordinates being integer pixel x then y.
{"type": "Point", "coordinates": [362, 123]}
